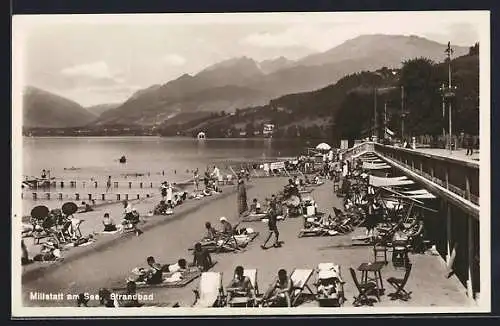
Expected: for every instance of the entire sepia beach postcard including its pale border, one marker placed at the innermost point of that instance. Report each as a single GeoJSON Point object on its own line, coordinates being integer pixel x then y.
{"type": "Point", "coordinates": [251, 164]}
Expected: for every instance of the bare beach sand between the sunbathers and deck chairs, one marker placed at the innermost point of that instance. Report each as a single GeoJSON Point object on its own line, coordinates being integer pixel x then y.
{"type": "Point", "coordinates": [169, 241]}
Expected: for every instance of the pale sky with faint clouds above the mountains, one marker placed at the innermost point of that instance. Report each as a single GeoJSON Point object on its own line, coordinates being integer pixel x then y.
{"type": "Point", "coordinates": [97, 59]}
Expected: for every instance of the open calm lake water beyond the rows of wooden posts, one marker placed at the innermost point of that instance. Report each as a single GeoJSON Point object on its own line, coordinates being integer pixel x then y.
{"type": "Point", "coordinates": [98, 156]}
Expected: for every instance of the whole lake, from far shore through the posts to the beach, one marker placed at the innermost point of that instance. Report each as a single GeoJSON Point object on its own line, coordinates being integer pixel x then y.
{"type": "Point", "coordinates": [157, 159]}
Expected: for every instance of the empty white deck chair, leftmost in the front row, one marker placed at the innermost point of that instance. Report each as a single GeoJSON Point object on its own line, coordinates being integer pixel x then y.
{"type": "Point", "coordinates": [210, 292]}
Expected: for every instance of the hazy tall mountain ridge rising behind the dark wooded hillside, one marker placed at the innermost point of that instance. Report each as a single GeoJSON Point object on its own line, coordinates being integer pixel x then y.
{"type": "Point", "coordinates": [243, 82]}
